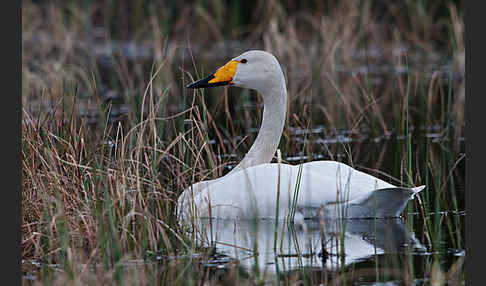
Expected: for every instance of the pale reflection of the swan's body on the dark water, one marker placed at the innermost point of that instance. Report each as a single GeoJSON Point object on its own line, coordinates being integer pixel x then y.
{"type": "Point", "coordinates": [330, 243]}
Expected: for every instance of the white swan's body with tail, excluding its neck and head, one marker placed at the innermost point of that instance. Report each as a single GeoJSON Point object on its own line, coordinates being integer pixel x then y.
{"type": "Point", "coordinates": [336, 188]}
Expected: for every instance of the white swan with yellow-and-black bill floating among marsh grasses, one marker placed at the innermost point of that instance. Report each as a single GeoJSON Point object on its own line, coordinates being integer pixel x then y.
{"type": "Point", "coordinates": [250, 189]}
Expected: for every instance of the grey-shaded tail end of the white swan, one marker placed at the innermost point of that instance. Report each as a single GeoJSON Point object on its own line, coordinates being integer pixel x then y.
{"type": "Point", "coordinates": [381, 203]}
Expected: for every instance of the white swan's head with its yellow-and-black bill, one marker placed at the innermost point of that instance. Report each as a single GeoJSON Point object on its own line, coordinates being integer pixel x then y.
{"type": "Point", "coordinates": [258, 70]}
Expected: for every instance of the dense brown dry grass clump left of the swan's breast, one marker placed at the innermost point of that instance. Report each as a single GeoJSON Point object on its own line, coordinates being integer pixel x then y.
{"type": "Point", "coordinates": [108, 193]}
